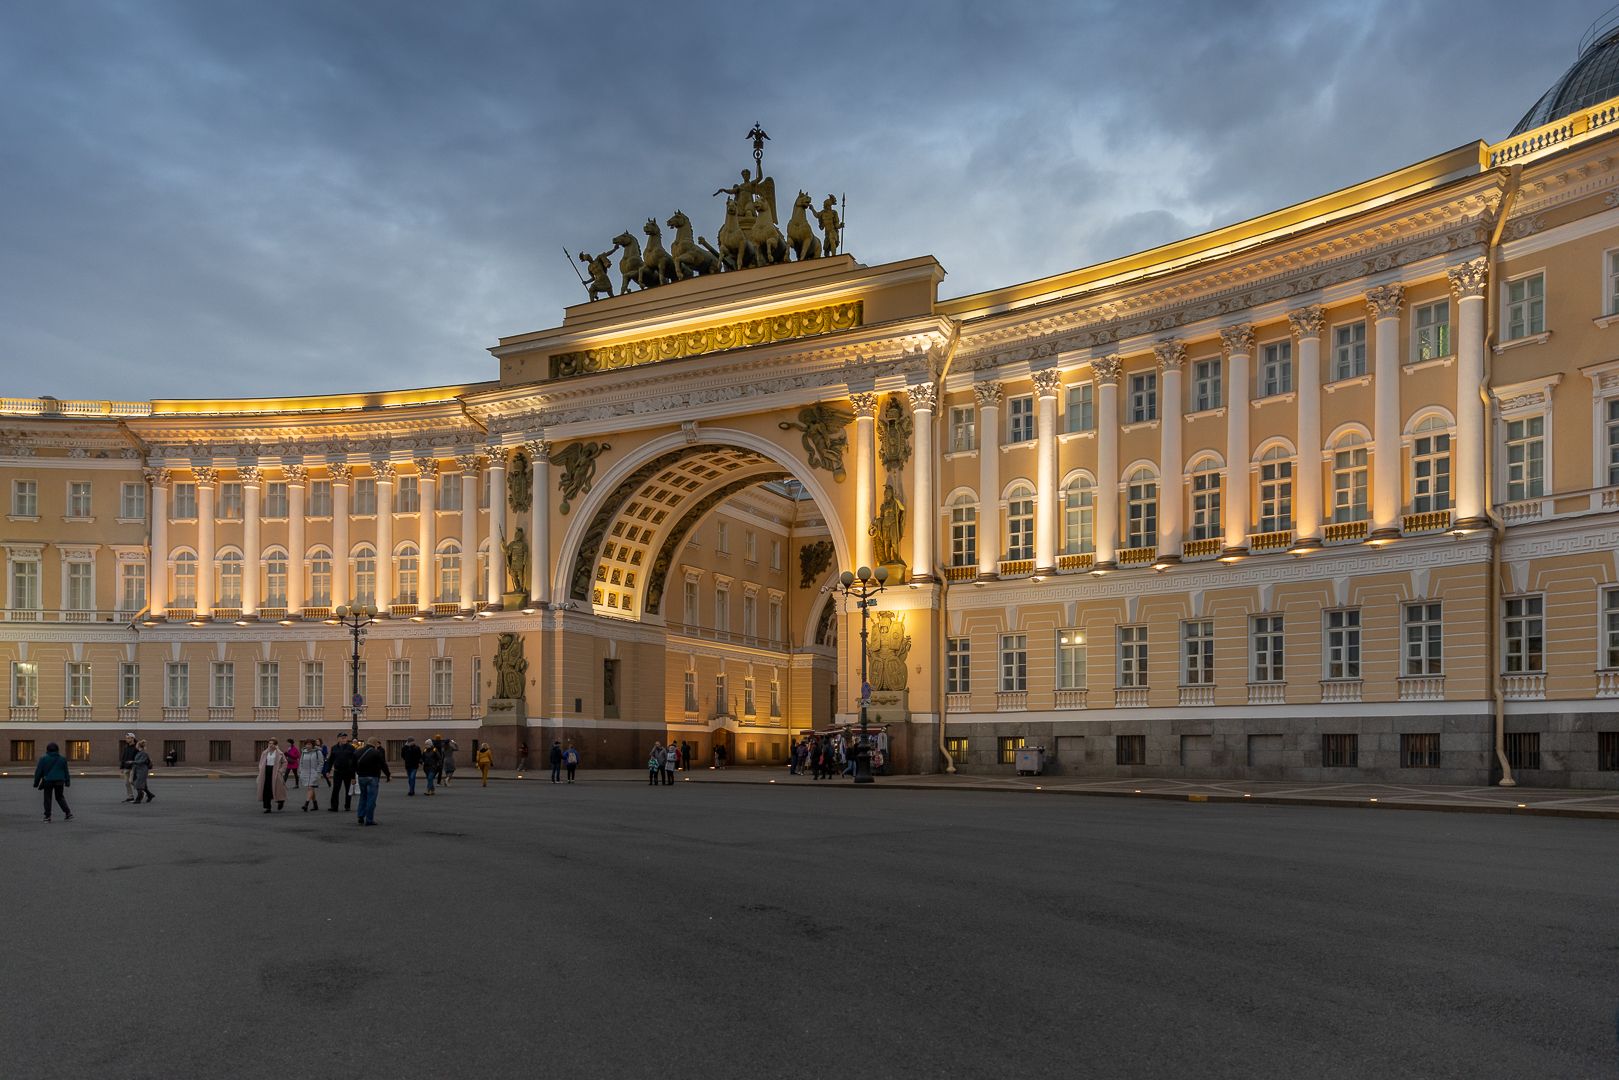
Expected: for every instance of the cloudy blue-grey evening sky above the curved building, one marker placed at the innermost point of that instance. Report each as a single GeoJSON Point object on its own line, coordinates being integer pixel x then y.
{"type": "Point", "coordinates": [219, 197]}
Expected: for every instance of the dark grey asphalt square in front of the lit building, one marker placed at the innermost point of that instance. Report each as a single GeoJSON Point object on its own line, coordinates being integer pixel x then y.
{"type": "Point", "coordinates": [797, 930]}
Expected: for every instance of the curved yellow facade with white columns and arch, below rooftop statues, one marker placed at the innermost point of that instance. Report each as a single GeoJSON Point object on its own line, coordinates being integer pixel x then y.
{"type": "Point", "coordinates": [1325, 495]}
